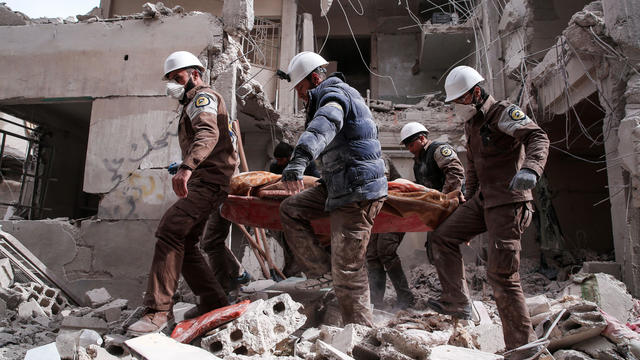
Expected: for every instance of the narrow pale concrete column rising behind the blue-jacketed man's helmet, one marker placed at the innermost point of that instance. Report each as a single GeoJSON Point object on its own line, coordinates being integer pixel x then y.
{"type": "Point", "coordinates": [287, 52]}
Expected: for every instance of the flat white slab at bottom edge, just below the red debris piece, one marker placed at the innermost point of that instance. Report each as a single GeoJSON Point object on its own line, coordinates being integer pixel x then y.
{"type": "Point", "coordinates": [161, 347]}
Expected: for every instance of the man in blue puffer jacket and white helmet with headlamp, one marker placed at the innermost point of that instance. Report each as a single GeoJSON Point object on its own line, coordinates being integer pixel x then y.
{"type": "Point", "coordinates": [340, 131]}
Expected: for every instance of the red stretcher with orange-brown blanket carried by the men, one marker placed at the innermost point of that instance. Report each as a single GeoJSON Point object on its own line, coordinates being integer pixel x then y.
{"type": "Point", "coordinates": [255, 201]}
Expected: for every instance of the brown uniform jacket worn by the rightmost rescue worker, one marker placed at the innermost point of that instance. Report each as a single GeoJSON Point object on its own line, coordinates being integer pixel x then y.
{"type": "Point", "coordinates": [502, 139]}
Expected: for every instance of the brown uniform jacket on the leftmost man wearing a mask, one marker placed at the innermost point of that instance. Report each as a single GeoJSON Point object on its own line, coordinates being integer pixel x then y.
{"type": "Point", "coordinates": [207, 138]}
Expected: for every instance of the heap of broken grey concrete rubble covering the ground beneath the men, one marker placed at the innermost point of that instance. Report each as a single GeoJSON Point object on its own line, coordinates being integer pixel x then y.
{"type": "Point", "coordinates": [592, 316]}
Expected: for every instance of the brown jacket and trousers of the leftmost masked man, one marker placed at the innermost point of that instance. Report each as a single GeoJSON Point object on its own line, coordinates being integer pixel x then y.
{"type": "Point", "coordinates": [208, 147]}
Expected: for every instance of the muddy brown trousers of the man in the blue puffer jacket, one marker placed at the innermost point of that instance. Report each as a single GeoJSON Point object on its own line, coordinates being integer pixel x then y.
{"type": "Point", "coordinates": [350, 230]}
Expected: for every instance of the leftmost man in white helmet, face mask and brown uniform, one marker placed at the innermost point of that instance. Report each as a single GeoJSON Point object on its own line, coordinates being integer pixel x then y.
{"type": "Point", "coordinates": [209, 159]}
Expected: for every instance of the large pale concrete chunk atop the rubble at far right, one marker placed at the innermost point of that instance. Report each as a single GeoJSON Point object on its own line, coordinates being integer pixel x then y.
{"type": "Point", "coordinates": [603, 289]}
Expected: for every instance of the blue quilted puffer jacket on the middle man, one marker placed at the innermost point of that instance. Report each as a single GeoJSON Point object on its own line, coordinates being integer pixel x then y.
{"type": "Point", "coordinates": [340, 132]}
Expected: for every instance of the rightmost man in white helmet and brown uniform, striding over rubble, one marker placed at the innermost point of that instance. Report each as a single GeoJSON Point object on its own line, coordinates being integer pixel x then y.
{"type": "Point", "coordinates": [507, 152]}
